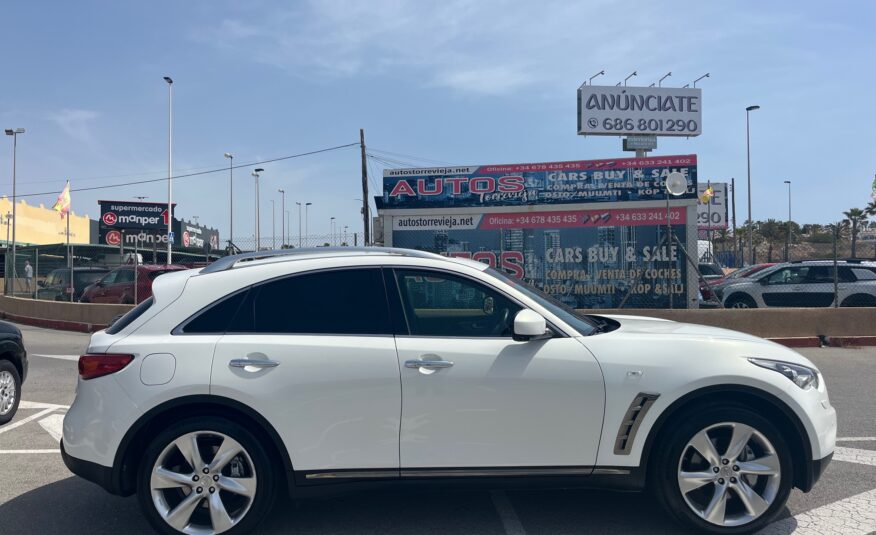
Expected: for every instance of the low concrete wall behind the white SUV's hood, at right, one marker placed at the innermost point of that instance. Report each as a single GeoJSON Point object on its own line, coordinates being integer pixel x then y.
{"type": "Point", "coordinates": [773, 322]}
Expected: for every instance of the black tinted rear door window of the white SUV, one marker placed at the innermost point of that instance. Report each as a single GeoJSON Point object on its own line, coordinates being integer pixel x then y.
{"type": "Point", "coordinates": [347, 301]}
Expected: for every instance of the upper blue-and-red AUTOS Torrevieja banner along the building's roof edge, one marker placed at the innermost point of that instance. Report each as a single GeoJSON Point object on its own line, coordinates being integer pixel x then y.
{"type": "Point", "coordinates": [621, 179]}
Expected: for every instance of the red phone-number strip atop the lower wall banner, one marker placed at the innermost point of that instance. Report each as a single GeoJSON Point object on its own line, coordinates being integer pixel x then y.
{"type": "Point", "coordinates": [624, 217]}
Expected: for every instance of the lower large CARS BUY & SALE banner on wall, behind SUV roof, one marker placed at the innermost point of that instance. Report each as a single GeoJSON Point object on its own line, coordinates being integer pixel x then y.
{"type": "Point", "coordinates": [585, 258]}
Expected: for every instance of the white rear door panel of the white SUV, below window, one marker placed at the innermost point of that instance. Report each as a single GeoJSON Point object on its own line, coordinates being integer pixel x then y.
{"type": "Point", "coordinates": [334, 400]}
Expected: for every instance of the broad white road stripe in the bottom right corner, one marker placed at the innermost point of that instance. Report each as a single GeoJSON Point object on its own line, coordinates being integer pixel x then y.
{"type": "Point", "coordinates": [853, 516]}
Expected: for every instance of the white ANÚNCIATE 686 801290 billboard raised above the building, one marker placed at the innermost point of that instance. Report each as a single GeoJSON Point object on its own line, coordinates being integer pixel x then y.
{"type": "Point", "coordinates": [622, 110]}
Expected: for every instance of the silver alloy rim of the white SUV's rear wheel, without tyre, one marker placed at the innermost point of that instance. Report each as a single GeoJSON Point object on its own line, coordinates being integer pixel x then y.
{"type": "Point", "coordinates": [203, 482]}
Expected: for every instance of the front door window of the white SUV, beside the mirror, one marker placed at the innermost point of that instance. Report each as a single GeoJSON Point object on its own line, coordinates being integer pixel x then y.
{"type": "Point", "coordinates": [439, 304]}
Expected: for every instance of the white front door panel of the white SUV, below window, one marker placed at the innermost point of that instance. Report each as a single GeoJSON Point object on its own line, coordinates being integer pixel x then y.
{"type": "Point", "coordinates": [501, 403]}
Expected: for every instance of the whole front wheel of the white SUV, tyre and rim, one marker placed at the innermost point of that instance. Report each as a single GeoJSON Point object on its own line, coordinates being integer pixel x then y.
{"type": "Point", "coordinates": [764, 450]}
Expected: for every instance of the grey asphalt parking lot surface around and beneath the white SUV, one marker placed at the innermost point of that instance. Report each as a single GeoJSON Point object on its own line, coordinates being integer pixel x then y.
{"type": "Point", "coordinates": [39, 495]}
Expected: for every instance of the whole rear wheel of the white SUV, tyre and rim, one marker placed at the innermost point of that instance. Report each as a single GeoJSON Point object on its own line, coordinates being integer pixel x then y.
{"type": "Point", "coordinates": [245, 507]}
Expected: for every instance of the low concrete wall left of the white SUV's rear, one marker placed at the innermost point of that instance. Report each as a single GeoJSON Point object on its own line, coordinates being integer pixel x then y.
{"type": "Point", "coordinates": [85, 317]}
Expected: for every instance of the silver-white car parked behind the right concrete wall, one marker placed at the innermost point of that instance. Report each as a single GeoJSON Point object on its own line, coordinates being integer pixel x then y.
{"type": "Point", "coordinates": [803, 284]}
